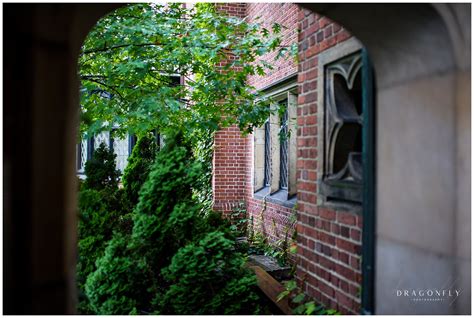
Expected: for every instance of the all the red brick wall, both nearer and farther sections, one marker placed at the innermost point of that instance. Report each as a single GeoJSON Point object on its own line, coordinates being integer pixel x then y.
{"type": "Point", "coordinates": [329, 241]}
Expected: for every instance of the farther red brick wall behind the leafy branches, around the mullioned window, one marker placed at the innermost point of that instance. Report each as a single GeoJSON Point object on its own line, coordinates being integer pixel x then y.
{"type": "Point", "coordinates": [232, 176]}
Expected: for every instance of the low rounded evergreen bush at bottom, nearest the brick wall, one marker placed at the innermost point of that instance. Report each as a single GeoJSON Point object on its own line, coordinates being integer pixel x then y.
{"type": "Point", "coordinates": [208, 277]}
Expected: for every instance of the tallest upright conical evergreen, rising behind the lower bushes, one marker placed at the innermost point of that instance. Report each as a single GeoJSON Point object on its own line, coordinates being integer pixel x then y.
{"type": "Point", "coordinates": [166, 217]}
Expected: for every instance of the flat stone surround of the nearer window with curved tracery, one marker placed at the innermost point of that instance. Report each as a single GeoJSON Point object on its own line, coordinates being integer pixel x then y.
{"type": "Point", "coordinates": [329, 56]}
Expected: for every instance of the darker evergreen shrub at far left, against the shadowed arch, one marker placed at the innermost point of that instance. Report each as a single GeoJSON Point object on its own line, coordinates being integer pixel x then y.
{"type": "Point", "coordinates": [102, 210]}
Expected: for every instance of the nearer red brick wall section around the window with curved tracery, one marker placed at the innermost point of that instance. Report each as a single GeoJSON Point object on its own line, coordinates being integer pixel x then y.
{"type": "Point", "coordinates": [329, 241]}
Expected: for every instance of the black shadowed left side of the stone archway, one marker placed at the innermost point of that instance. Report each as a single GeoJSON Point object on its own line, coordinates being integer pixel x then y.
{"type": "Point", "coordinates": [42, 42]}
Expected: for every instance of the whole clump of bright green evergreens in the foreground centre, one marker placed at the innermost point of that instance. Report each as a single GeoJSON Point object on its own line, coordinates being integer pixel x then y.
{"type": "Point", "coordinates": [138, 272]}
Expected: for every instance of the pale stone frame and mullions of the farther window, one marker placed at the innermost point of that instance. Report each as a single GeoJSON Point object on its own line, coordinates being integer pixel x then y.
{"type": "Point", "coordinates": [274, 192]}
